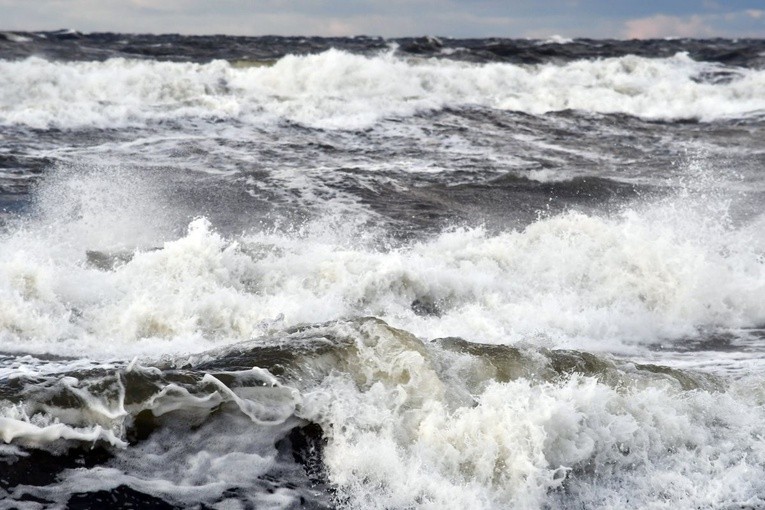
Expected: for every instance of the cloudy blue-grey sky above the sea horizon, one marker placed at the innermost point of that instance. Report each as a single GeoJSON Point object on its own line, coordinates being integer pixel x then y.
{"type": "Point", "coordinates": [623, 19]}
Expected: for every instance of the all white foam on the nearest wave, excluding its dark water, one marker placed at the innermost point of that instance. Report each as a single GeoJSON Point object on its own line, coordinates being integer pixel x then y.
{"type": "Point", "coordinates": [407, 424]}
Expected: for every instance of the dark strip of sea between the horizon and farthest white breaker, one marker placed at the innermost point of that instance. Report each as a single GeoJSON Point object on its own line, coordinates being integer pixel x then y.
{"type": "Point", "coordinates": [72, 45]}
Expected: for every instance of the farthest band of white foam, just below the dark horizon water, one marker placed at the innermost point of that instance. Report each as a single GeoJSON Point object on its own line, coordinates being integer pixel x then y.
{"type": "Point", "coordinates": [336, 89]}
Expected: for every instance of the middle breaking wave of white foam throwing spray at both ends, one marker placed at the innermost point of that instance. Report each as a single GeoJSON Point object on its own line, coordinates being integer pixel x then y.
{"type": "Point", "coordinates": [105, 277]}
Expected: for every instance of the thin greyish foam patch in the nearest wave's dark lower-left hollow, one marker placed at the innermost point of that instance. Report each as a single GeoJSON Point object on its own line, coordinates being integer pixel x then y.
{"type": "Point", "coordinates": [199, 468]}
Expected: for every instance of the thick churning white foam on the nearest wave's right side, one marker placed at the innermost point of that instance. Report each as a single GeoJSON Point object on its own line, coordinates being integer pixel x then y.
{"type": "Point", "coordinates": [398, 439]}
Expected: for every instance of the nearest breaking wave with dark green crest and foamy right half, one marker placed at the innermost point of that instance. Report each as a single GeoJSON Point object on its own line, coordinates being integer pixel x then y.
{"type": "Point", "coordinates": [367, 416]}
